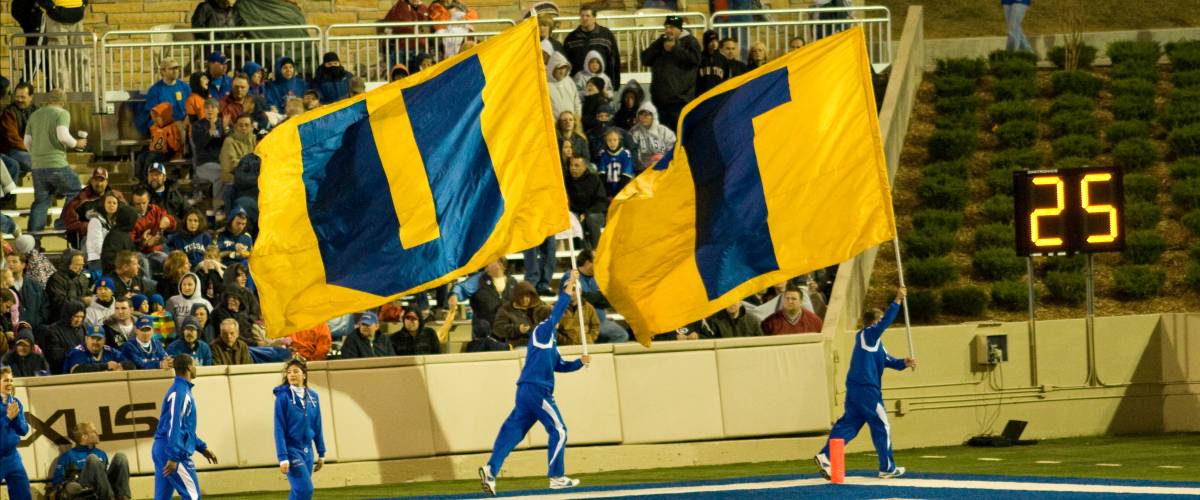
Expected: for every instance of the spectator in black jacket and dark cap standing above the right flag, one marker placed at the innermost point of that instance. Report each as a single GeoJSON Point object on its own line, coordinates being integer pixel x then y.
{"type": "Point", "coordinates": [674, 59]}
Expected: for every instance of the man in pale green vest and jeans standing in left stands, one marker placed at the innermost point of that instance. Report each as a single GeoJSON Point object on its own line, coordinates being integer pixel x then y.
{"type": "Point", "coordinates": [49, 140]}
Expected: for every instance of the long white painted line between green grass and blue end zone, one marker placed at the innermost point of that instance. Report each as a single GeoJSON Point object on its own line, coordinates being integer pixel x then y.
{"type": "Point", "coordinates": [1009, 486]}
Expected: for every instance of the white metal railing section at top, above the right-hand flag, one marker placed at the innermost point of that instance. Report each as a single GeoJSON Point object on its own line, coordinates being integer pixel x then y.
{"type": "Point", "coordinates": [777, 28]}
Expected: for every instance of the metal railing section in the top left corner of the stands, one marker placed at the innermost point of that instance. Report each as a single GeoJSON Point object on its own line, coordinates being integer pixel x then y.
{"type": "Point", "coordinates": [45, 61]}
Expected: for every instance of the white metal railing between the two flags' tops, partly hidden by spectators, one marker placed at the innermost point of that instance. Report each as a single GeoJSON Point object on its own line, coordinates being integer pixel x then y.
{"type": "Point", "coordinates": [635, 33]}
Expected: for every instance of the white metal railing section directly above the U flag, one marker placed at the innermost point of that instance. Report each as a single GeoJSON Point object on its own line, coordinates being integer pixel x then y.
{"type": "Point", "coordinates": [371, 50]}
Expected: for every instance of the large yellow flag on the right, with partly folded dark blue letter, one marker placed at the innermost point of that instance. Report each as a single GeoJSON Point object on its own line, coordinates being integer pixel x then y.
{"type": "Point", "coordinates": [777, 173]}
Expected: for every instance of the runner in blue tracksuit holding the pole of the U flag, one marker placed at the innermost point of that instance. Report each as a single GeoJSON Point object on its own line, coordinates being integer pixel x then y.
{"type": "Point", "coordinates": [536, 400]}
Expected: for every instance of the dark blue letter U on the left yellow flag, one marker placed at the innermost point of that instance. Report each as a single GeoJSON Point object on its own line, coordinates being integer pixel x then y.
{"type": "Point", "coordinates": [350, 200]}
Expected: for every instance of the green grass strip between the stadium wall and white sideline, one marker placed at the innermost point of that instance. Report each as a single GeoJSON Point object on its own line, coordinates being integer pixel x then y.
{"type": "Point", "coordinates": [1142, 457]}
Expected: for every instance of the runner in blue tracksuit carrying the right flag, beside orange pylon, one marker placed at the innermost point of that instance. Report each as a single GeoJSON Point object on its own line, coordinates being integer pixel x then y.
{"type": "Point", "coordinates": [865, 400]}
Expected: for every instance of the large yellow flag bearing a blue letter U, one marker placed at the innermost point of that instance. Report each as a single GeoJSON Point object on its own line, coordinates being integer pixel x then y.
{"type": "Point", "coordinates": [409, 186]}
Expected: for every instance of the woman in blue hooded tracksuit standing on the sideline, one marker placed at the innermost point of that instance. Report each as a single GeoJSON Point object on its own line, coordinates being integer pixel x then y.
{"type": "Point", "coordinates": [297, 429]}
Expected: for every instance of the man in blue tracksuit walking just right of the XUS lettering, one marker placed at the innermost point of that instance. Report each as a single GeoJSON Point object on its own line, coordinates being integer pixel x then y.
{"type": "Point", "coordinates": [176, 441]}
